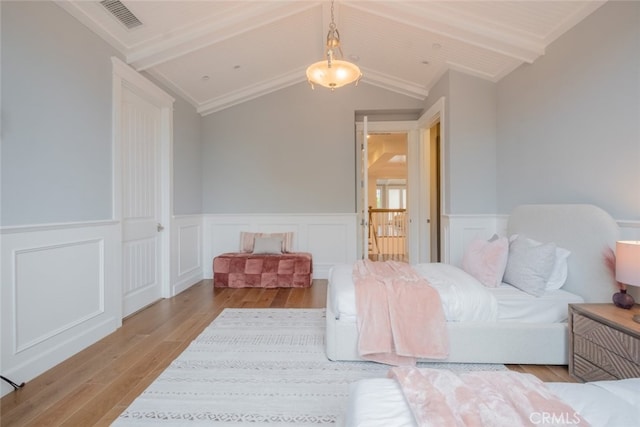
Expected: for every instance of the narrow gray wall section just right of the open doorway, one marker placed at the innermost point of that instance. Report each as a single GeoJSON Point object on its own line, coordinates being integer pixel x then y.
{"type": "Point", "coordinates": [469, 142]}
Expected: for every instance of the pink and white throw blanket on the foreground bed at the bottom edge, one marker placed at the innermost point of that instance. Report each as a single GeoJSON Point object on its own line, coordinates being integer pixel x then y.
{"type": "Point", "coordinates": [439, 397]}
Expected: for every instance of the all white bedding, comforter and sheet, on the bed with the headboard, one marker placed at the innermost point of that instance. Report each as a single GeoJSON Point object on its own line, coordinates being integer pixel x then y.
{"type": "Point", "coordinates": [464, 298]}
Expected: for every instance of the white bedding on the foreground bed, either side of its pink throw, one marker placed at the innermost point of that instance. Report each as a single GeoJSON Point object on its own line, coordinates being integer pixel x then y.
{"type": "Point", "coordinates": [380, 402]}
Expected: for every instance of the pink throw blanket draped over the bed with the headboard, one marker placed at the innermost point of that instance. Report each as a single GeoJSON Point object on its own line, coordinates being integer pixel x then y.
{"type": "Point", "coordinates": [400, 316]}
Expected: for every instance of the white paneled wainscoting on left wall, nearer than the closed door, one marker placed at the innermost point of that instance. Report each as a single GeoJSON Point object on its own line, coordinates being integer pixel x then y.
{"type": "Point", "coordinates": [61, 292]}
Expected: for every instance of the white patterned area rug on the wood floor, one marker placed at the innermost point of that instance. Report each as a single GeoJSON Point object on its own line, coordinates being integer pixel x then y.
{"type": "Point", "coordinates": [256, 366]}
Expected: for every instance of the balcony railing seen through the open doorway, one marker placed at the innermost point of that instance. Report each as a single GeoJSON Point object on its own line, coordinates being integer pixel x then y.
{"type": "Point", "coordinates": [387, 234]}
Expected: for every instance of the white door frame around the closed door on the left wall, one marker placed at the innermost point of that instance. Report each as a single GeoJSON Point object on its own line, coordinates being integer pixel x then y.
{"type": "Point", "coordinates": [125, 76]}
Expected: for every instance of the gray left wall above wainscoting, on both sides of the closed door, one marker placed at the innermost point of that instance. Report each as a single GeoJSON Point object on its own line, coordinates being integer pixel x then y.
{"type": "Point", "coordinates": [56, 122]}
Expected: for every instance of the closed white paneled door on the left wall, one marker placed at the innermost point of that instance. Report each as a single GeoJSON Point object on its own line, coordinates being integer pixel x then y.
{"type": "Point", "coordinates": [141, 201]}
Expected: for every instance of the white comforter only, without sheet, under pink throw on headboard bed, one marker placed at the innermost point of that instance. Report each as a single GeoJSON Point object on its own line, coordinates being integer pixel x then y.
{"type": "Point", "coordinates": [463, 297]}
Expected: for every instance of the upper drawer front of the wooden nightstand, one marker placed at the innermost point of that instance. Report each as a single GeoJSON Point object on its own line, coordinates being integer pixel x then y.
{"type": "Point", "coordinates": [613, 340]}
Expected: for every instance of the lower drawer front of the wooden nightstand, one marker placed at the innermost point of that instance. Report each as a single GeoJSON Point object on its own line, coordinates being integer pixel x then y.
{"type": "Point", "coordinates": [606, 360]}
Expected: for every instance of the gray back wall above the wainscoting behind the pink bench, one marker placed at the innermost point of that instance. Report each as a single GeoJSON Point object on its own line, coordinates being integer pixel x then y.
{"type": "Point", "coordinates": [291, 151]}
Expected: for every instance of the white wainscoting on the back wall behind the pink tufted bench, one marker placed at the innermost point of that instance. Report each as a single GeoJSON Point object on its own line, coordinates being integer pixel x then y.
{"type": "Point", "coordinates": [330, 238]}
